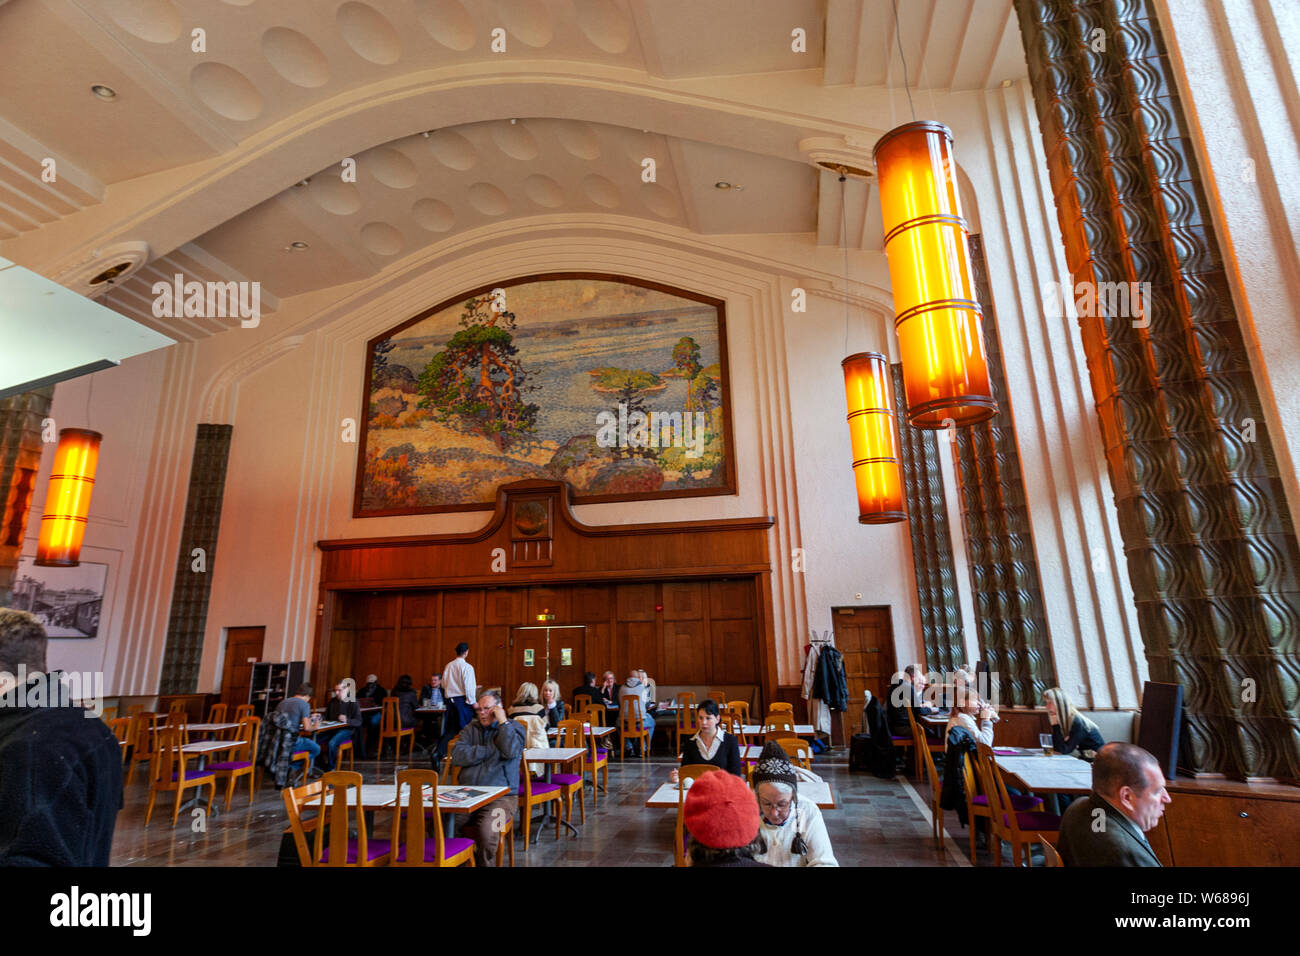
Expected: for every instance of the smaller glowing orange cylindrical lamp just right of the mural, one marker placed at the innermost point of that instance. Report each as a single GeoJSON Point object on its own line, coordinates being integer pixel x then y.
{"type": "Point", "coordinates": [872, 431]}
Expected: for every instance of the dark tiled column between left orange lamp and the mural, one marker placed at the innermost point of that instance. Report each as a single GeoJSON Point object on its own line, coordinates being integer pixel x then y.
{"type": "Point", "coordinates": [184, 651]}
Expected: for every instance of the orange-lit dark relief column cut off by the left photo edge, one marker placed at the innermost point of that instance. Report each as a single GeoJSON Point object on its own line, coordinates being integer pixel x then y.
{"type": "Point", "coordinates": [20, 461]}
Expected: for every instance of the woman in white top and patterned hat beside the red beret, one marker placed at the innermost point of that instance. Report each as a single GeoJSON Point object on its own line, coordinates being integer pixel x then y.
{"type": "Point", "coordinates": [792, 829]}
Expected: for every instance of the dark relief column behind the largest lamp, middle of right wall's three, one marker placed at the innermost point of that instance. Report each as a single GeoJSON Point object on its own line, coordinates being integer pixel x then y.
{"type": "Point", "coordinates": [1013, 633]}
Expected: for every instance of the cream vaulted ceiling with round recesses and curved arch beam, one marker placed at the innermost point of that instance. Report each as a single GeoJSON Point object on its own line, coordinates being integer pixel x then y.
{"type": "Point", "coordinates": [214, 163]}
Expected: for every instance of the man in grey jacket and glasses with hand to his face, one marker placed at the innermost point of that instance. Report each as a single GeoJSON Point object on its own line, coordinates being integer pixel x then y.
{"type": "Point", "coordinates": [488, 754]}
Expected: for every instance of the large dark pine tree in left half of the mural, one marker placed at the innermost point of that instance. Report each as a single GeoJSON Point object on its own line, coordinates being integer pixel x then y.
{"type": "Point", "coordinates": [478, 383]}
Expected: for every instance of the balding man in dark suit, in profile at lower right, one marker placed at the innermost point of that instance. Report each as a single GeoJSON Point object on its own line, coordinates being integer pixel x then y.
{"type": "Point", "coordinates": [1129, 797]}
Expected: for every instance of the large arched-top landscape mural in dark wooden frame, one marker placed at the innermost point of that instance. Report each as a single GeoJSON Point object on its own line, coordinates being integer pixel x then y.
{"type": "Point", "coordinates": [447, 425]}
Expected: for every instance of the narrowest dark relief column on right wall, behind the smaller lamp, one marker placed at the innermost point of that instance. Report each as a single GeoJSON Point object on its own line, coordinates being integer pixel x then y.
{"type": "Point", "coordinates": [931, 540]}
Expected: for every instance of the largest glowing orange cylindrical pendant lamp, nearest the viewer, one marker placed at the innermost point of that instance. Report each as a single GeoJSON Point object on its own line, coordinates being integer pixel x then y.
{"type": "Point", "coordinates": [937, 314]}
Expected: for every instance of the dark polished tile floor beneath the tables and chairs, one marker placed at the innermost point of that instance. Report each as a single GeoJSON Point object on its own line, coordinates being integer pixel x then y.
{"type": "Point", "coordinates": [877, 824]}
